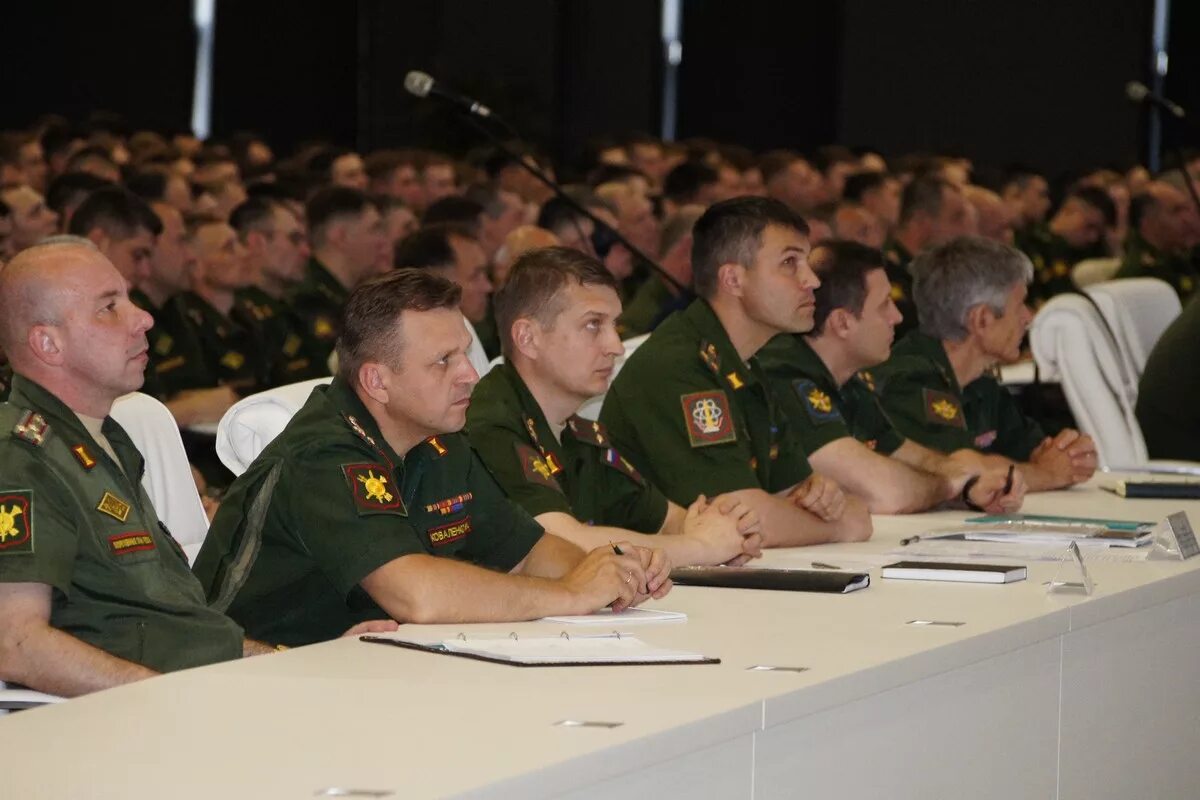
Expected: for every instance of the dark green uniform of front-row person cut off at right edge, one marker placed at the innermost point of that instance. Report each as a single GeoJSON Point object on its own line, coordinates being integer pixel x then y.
{"type": "Point", "coordinates": [1168, 407]}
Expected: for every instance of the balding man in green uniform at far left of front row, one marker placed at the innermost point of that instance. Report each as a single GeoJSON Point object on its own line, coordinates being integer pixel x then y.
{"type": "Point", "coordinates": [92, 585]}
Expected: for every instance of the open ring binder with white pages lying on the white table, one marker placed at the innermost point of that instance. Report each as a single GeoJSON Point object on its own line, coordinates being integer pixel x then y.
{"type": "Point", "coordinates": [562, 651]}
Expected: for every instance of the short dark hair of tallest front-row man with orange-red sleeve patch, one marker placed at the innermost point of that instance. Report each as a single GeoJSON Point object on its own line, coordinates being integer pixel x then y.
{"type": "Point", "coordinates": [731, 233]}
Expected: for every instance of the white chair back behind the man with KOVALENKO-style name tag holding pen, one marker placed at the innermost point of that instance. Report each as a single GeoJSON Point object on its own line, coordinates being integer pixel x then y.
{"type": "Point", "coordinates": [253, 423]}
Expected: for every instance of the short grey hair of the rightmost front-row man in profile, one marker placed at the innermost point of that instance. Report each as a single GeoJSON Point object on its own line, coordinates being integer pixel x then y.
{"type": "Point", "coordinates": [953, 279]}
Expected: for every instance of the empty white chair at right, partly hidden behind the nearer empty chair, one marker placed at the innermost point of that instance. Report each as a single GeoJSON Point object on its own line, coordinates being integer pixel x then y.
{"type": "Point", "coordinates": [1138, 311]}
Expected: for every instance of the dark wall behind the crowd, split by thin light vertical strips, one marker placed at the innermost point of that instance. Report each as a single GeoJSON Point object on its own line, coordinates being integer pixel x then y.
{"type": "Point", "coordinates": [1027, 81]}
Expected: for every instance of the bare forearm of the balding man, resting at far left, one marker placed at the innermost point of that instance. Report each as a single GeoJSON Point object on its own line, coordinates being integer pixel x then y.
{"type": "Point", "coordinates": [49, 660]}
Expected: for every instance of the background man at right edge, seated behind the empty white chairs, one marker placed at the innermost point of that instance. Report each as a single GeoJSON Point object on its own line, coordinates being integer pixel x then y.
{"type": "Point", "coordinates": [1161, 239]}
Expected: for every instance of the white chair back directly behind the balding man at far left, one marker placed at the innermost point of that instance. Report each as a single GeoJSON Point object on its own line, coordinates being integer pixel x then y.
{"type": "Point", "coordinates": [169, 477]}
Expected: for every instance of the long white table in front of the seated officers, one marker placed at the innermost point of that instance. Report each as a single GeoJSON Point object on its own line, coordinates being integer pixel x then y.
{"type": "Point", "coordinates": [1034, 696]}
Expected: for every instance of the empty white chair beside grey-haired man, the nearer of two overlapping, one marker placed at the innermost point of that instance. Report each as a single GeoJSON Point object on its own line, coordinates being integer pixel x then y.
{"type": "Point", "coordinates": [1071, 345]}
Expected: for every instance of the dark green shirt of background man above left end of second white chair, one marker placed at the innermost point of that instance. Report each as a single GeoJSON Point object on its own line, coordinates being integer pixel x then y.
{"type": "Point", "coordinates": [229, 348]}
